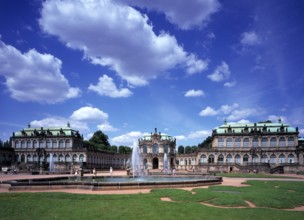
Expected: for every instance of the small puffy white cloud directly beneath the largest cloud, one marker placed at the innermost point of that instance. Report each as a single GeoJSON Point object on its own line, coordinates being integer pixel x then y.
{"type": "Point", "coordinates": [106, 87]}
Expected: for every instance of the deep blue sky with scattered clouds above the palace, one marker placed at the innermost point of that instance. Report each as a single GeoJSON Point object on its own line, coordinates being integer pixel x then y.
{"type": "Point", "coordinates": [127, 67]}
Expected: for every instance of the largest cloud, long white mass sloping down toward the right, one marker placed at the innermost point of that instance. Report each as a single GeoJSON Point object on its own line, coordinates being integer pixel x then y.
{"type": "Point", "coordinates": [117, 36]}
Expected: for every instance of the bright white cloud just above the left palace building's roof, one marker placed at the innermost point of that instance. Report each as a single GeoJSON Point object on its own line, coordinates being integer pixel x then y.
{"type": "Point", "coordinates": [89, 113]}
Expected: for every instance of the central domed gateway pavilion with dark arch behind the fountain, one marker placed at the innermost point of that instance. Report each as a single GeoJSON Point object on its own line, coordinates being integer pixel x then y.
{"type": "Point", "coordinates": [153, 148]}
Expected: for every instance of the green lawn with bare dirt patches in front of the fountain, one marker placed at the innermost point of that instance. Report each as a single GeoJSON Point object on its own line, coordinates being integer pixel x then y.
{"type": "Point", "coordinates": [270, 198]}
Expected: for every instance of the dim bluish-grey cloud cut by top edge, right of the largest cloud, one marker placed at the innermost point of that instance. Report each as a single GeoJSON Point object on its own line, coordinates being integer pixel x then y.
{"type": "Point", "coordinates": [184, 14]}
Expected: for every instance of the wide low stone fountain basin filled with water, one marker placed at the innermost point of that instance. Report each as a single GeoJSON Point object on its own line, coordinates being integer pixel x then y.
{"type": "Point", "coordinates": [111, 183]}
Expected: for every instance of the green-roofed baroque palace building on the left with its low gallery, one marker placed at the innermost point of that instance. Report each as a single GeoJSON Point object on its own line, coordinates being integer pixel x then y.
{"type": "Point", "coordinates": [65, 146]}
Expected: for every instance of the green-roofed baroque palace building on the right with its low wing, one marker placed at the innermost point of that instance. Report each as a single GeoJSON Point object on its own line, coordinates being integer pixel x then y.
{"type": "Point", "coordinates": [258, 147]}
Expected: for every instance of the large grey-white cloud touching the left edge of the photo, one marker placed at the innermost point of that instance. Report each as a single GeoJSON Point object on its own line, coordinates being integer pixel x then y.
{"type": "Point", "coordinates": [33, 76]}
